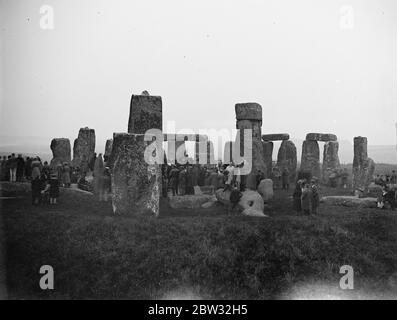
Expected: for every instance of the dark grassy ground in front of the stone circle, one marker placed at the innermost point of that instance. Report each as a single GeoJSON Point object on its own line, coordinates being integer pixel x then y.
{"type": "Point", "coordinates": [201, 254]}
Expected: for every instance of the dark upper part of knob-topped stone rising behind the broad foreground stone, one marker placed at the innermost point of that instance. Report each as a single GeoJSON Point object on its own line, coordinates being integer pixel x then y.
{"type": "Point", "coordinates": [145, 113]}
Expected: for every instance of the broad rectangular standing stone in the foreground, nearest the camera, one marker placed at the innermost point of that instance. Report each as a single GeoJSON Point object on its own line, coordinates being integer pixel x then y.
{"type": "Point", "coordinates": [135, 183]}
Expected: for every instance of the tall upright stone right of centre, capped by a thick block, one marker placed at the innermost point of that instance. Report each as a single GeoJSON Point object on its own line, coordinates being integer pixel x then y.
{"type": "Point", "coordinates": [249, 116]}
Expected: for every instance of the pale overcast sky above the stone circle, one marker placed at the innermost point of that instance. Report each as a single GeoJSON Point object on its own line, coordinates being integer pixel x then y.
{"type": "Point", "coordinates": [314, 66]}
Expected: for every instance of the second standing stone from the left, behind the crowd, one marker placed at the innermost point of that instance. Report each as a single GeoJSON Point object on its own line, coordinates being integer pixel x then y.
{"type": "Point", "coordinates": [84, 148]}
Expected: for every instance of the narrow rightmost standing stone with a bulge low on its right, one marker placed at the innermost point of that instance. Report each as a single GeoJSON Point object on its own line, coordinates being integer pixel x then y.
{"type": "Point", "coordinates": [363, 167]}
